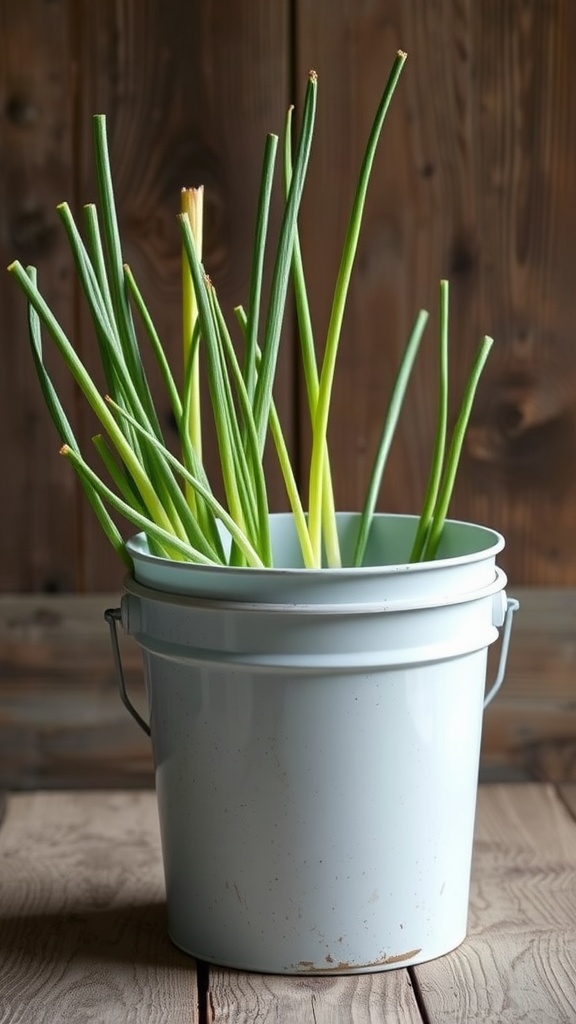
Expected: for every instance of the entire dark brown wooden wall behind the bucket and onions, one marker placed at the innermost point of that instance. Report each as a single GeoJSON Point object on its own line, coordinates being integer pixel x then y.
{"type": "Point", "coordinates": [475, 182]}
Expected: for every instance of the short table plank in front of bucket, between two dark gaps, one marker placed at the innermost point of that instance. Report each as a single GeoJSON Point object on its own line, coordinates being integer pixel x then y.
{"type": "Point", "coordinates": [237, 998]}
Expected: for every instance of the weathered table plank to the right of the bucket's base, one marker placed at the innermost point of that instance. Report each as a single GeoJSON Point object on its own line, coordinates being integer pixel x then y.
{"type": "Point", "coordinates": [519, 963]}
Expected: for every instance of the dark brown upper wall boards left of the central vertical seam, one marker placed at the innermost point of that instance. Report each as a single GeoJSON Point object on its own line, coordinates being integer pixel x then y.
{"type": "Point", "coordinates": [190, 91]}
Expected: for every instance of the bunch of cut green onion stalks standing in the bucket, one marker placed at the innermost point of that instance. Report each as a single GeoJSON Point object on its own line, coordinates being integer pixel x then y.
{"type": "Point", "coordinates": [133, 475]}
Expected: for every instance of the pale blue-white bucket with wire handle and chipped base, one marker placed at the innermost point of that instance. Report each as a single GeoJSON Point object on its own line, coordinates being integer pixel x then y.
{"type": "Point", "coordinates": [316, 740]}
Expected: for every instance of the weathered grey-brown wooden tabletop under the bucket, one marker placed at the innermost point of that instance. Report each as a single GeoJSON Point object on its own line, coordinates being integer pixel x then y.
{"type": "Point", "coordinates": [84, 931]}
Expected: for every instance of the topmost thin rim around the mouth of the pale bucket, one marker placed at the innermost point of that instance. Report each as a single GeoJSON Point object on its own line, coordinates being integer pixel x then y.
{"type": "Point", "coordinates": [137, 547]}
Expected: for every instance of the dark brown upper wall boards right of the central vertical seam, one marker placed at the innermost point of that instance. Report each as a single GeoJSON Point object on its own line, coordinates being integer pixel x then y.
{"type": "Point", "coordinates": [474, 183]}
